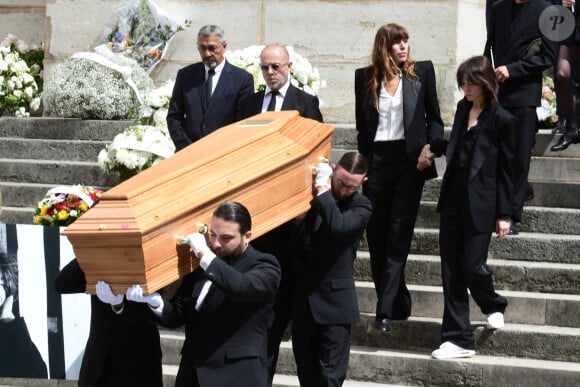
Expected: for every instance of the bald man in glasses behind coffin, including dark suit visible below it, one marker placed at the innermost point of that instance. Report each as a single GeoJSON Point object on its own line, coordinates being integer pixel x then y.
{"type": "Point", "coordinates": [280, 242]}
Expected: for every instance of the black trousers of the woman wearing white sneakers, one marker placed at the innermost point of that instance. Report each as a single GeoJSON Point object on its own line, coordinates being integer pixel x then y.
{"type": "Point", "coordinates": [463, 264]}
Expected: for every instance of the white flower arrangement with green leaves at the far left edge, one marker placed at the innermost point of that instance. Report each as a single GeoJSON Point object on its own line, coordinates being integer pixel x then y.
{"type": "Point", "coordinates": [19, 93]}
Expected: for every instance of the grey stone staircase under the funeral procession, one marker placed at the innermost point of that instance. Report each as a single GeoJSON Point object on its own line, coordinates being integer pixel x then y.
{"type": "Point", "coordinates": [537, 270]}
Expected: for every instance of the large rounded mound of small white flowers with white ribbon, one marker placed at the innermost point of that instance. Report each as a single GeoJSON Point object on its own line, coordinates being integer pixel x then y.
{"type": "Point", "coordinates": [99, 85]}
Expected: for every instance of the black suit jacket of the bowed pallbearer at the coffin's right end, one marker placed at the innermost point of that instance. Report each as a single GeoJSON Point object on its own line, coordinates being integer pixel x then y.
{"type": "Point", "coordinates": [329, 241]}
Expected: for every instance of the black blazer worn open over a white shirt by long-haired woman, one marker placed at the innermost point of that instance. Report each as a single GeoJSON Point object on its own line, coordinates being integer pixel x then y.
{"type": "Point", "coordinates": [421, 114]}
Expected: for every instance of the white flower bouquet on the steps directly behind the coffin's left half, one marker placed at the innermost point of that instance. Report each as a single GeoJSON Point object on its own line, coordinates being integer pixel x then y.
{"type": "Point", "coordinates": [135, 149]}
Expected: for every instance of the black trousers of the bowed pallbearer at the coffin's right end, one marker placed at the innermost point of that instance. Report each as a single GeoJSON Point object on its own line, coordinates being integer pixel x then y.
{"type": "Point", "coordinates": [321, 351]}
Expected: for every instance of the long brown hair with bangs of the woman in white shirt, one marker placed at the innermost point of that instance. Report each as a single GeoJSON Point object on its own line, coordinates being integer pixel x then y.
{"type": "Point", "coordinates": [382, 63]}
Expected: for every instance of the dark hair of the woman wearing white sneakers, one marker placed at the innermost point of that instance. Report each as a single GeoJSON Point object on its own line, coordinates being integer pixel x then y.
{"type": "Point", "coordinates": [478, 70]}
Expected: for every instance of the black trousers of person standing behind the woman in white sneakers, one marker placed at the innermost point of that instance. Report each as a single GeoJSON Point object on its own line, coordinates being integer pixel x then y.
{"type": "Point", "coordinates": [526, 127]}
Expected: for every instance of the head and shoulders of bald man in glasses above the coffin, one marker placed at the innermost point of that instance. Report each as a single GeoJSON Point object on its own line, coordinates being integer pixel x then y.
{"type": "Point", "coordinates": [279, 94]}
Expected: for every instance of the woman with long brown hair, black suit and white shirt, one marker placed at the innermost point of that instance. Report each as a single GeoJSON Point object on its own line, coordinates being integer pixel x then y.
{"type": "Point", "coordinates": [397, 113]}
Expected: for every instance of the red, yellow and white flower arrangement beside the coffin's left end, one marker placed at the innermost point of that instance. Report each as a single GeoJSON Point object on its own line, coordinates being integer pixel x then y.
{"type": "Point", "coordinates": [63, 205]}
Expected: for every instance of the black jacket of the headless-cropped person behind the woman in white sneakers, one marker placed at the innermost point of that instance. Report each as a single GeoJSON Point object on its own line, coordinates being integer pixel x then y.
{"type": "Point", "coordinates": [509, 41]}
